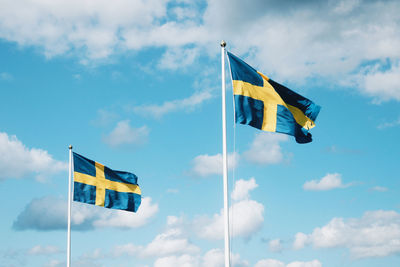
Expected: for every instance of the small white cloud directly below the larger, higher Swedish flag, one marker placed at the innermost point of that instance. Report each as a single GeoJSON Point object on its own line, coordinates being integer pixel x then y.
{"type": "Point", "coordinates": [265, 148]}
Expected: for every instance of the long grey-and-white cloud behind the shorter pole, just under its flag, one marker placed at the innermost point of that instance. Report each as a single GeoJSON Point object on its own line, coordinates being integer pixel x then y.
{"type": "Point", "coordinates": [50, 213]}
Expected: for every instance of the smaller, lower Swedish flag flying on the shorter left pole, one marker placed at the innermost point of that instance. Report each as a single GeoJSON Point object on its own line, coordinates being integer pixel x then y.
{"type": "Point", "coordinates": [97, 184]}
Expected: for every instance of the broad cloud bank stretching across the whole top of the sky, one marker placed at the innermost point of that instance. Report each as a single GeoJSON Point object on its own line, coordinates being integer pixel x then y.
{"type": "Point", "coordinates": [353, 40]}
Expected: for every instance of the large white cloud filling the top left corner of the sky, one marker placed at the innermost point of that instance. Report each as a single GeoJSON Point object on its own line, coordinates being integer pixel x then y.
{"type": "Point", "coordinates": [70, 26]}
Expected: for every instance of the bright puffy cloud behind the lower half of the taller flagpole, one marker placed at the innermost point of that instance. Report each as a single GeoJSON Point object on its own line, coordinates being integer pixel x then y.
{"type": "Point", "coordinates": [247, 217]}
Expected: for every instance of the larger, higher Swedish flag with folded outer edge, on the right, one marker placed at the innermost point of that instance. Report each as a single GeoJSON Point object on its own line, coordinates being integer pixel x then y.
{"type": "Point", "coordinates": [269, 106]}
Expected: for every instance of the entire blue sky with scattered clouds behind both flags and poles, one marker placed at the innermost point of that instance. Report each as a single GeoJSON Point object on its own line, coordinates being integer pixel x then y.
{"type": "Point", "coordinates": [135, 85]}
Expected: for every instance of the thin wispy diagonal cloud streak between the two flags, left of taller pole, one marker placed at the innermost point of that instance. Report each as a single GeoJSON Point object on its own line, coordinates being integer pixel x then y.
{"type": "Point", "coordinates": [186, 104]}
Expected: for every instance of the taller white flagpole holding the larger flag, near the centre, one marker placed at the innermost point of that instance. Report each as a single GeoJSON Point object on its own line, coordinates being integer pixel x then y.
{"type": "Point", "coordinates": [225, 160]}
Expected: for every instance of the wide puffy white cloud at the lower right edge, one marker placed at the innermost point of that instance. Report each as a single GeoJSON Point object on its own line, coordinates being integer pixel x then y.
{"type": "Point", "coordinates": [375, 234]}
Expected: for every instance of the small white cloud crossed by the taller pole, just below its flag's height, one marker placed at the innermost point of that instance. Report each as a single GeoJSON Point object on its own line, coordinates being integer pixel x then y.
{"type": "Point", "coordinates": [204, 165]}
